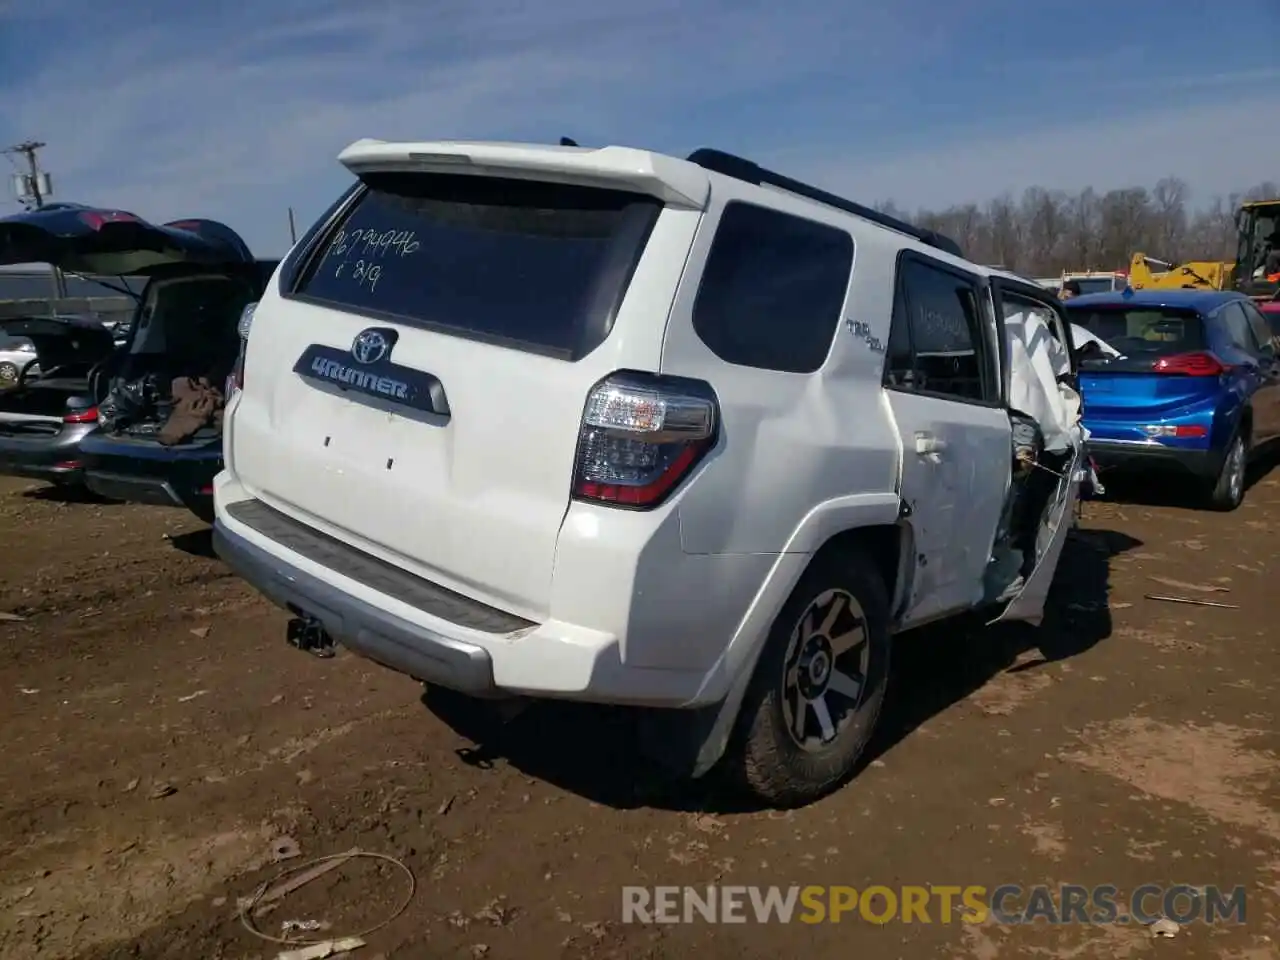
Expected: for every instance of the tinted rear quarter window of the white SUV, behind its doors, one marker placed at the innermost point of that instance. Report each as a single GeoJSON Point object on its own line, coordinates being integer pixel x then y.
{"type": "Point", "coordinates": [774, 290]}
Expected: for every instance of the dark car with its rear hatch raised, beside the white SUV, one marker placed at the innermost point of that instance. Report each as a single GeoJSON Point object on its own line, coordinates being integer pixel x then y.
{"type": "Point", "coordinates": [159, 397]}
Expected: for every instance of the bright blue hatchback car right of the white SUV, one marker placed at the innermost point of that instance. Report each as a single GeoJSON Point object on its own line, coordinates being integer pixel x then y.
{"type": "Point", "coordinates": [1178, 380]}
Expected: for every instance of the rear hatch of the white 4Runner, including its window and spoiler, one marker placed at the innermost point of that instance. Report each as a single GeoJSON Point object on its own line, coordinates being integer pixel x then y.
{"type": "Point", "coordinates": [419, 387]}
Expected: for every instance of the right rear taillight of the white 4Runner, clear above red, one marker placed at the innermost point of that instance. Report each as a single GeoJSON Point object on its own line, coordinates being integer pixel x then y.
{"type": "Point", "coordinates": [641, 437]}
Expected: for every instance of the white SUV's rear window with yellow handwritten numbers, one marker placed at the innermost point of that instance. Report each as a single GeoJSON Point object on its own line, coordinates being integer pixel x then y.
{"type": "Point", "coordinates": [523, 263]}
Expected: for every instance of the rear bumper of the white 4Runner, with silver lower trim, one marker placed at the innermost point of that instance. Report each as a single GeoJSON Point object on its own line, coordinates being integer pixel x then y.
{"type": "Point", "coordinates": [426, 632]}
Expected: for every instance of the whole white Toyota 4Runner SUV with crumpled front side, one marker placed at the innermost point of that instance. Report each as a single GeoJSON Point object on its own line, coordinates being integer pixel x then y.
{"type": "Point", "coordinates": [615, 427]}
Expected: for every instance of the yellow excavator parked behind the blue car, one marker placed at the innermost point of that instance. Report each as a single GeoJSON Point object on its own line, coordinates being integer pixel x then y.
{"type": "Point", "coordinates": [1256, 271]}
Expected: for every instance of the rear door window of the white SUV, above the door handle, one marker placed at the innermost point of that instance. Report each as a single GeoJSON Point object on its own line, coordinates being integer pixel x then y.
{"type": "Point", "coordinates": [949, 355]}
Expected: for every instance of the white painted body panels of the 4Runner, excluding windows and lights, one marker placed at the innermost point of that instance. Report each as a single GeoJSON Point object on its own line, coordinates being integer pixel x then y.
{"type": "Point", "coordinates": [668, 607]}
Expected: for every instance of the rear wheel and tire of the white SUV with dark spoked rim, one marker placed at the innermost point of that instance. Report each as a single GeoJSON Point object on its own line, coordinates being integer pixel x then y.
{"type": "Point", "coordinates": [819, 687]}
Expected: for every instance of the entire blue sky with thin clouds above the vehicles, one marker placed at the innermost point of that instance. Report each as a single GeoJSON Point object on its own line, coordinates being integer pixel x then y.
{"type": "Point", "coordinates": [237, 111]}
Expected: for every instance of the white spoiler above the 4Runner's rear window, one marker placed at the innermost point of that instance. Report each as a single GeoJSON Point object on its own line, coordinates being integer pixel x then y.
{"type": "Point", "coordinates": [673, 181]}
